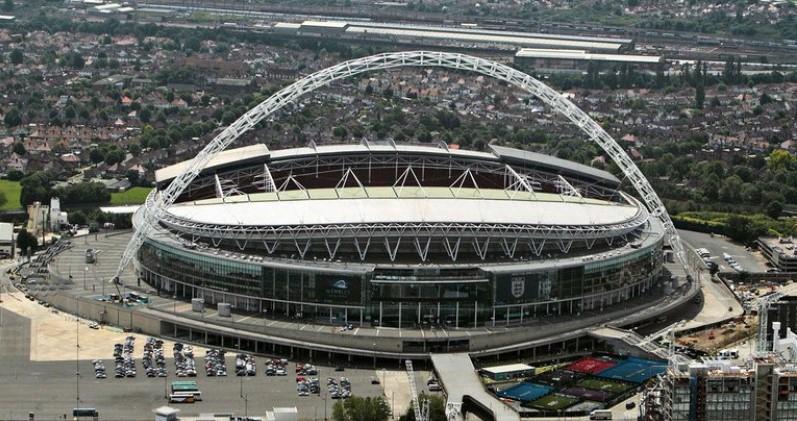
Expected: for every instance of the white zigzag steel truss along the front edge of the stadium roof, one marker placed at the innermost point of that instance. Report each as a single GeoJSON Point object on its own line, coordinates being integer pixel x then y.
{"type": "Point", "coordinates": [447, 237]}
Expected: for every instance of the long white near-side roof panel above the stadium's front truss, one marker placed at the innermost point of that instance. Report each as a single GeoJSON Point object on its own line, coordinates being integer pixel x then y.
{"type": "Point", "coordinates": [410, 208]}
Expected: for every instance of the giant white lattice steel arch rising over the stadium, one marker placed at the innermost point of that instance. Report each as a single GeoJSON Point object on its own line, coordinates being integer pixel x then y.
{"type": "Point", "coordinates": [384, 61]}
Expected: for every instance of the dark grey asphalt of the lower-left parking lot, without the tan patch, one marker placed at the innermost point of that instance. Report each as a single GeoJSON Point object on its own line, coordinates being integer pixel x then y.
{"type": "Point", "coordinates": [48, 389]}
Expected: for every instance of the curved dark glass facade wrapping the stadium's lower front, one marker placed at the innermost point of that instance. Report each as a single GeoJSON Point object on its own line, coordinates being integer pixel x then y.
{"type": "Point", "coordinates": [466, 297]}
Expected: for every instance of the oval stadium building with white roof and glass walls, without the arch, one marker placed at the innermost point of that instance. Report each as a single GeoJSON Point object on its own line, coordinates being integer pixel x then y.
{"type": "Point", "coordinates": [406, 236]}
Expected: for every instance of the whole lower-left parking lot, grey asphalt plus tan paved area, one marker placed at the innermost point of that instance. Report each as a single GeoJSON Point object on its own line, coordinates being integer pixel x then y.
{"type": "Point", "coordinates": [48, 388]}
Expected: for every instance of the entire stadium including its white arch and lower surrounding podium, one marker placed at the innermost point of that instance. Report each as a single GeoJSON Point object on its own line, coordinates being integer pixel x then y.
{"type": "Point", "coordinates": [414, 249]}
